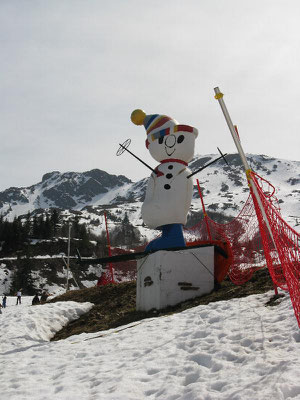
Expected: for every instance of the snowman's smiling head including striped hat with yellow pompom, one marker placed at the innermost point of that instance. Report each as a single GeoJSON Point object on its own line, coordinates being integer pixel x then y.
{"type": "Point", "coordinates": [166, 139]}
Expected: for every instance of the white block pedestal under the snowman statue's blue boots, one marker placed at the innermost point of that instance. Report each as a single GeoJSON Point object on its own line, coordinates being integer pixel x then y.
{"type": "Point", "coordinates": [167, 278]}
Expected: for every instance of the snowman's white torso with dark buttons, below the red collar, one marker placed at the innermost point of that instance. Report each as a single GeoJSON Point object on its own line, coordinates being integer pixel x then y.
{"type": "Point", "coordinates": [168, 196]}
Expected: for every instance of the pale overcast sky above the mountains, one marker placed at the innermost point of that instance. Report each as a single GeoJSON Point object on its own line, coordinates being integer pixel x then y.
{"type": "Point", "coordinates": [72, 71]}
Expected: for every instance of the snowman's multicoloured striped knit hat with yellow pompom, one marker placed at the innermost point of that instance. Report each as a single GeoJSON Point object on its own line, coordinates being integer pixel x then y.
{"type": "Point", "coordinates": [157, 125]}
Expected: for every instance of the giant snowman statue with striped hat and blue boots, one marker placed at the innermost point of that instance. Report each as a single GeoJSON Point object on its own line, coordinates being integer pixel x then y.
{"type": "Point", "coordinates": [169, 191]}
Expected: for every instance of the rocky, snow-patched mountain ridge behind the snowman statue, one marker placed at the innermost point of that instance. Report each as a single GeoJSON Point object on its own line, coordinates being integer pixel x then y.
{"type": "Point", "coordinates": [224, 188]}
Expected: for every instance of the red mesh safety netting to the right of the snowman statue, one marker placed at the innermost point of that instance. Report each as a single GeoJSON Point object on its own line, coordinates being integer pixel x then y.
{"type": "Point", "coordinates": [256, 238]}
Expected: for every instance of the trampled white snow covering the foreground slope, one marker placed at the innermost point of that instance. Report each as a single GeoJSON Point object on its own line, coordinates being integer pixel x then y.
{"type": "Point", "coordinates": [235, 350]}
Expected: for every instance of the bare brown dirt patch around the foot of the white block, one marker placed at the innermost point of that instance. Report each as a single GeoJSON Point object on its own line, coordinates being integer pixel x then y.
{"type": "Point", "coordinates": [115, 304]}
